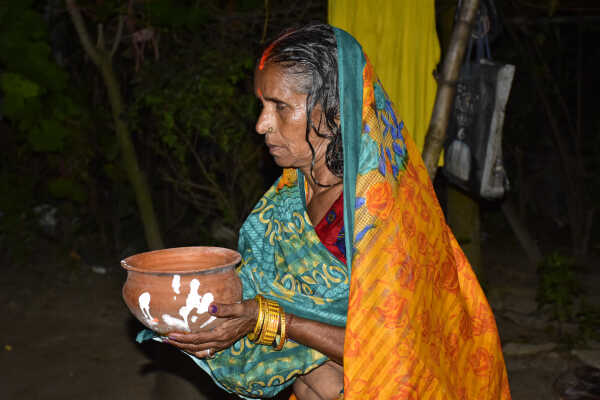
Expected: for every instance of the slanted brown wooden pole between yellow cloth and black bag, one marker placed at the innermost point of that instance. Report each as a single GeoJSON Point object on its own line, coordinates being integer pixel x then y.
{"type": "Point", "coordinates": [444, 99]}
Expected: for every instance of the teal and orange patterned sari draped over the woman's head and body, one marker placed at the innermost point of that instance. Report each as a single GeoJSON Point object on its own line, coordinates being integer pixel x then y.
{"type": "Point", "coordinates": [418, 325]}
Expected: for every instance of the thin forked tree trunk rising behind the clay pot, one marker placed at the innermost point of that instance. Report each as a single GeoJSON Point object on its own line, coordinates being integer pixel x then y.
{"type": "Point", "coordinates": [103, 60]}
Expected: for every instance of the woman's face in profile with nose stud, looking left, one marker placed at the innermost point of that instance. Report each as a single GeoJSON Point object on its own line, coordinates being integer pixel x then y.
{"type": "Point", "coordinates": [283, 118]}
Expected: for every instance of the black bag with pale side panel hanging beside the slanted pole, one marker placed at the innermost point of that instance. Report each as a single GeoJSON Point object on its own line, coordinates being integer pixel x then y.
{"type": "Point", "coordinates": [473, 150]}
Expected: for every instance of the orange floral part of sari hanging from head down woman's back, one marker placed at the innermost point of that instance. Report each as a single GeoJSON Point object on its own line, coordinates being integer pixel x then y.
{"type": "Point", "coordinates": [418, 326]}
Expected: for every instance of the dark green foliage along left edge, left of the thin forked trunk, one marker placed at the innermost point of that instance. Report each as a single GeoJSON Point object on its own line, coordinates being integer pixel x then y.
{"type": "Point", "coordinates": [44, 123]}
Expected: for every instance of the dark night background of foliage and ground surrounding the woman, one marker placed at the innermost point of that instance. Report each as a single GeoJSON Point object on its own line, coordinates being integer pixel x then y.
{"type": "Point", "coordinates": [68, 213]}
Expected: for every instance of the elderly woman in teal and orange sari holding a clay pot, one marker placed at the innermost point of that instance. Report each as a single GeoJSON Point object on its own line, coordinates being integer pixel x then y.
{"type": "Point", "coordinates": [353, 285]}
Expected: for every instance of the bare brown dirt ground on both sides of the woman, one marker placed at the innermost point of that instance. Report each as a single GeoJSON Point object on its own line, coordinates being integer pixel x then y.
{"type": "Point", "coordinates": [68, 335]}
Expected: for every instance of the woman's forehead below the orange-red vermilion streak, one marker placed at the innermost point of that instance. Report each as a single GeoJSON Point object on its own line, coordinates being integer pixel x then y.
{"type": "Point", "coordinates": [274, 81]}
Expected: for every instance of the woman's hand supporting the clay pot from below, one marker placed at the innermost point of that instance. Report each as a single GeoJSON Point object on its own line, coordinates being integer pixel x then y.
{"type": "Point", "coordinates": [241, 320]}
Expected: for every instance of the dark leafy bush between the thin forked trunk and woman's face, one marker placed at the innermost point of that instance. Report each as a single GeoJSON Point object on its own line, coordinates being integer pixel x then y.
{"type": "Point", "coordinates": [200, 121]}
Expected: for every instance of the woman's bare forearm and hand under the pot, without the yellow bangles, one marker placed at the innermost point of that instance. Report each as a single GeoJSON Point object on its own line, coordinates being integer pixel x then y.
{"type": "Point", "coordinates": [327, 339]}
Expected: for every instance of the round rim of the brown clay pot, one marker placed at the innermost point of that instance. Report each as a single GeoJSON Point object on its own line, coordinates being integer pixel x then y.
{"type": "Point", "coordinates": [235, 259]}
